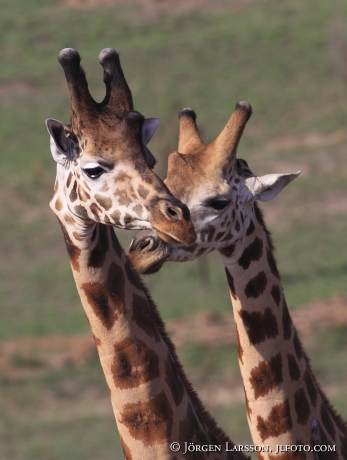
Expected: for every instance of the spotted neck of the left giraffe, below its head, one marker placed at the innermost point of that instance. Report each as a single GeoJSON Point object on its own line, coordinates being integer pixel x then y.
{"type": "Point", "coordinates": [153, 402]}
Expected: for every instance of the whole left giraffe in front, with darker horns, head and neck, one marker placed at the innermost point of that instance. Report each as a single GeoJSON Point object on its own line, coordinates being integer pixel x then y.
{"type": "Point", "coordinates": [103, 181]}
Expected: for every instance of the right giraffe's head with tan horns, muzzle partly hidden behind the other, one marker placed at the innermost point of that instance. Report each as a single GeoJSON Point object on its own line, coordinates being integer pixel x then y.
{"type": "Point", "coordinates": [220, 191]}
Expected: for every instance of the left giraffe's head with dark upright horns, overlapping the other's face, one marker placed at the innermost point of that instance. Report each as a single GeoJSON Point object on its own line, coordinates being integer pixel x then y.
{"type": "Point", "coordinates": [103, 165]}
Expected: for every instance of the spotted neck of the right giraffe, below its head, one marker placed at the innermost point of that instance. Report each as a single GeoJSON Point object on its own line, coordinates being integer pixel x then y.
{"type": "Point", "coordinates": [285, 405]}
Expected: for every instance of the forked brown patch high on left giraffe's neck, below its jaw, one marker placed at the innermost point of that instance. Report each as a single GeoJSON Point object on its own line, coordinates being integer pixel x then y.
{"type": "Point", "coordinates": [107, 299]}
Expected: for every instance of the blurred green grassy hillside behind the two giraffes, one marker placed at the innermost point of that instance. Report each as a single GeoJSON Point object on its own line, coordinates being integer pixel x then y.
{"type": "Point", "coordinates": [289, 60]}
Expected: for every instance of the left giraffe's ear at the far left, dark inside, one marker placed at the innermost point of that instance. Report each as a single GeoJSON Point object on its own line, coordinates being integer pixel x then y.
{"type": "Point", "coordinates": [62, 147]}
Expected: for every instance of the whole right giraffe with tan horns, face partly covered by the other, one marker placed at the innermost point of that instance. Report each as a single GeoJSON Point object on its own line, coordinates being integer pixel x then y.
{"type": "Point", "coordinates": [285, 405]}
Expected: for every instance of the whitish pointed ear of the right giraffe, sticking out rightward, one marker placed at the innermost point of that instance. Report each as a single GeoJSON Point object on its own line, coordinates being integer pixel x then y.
{"type": "Point", "coordinates": [265, 188]}
